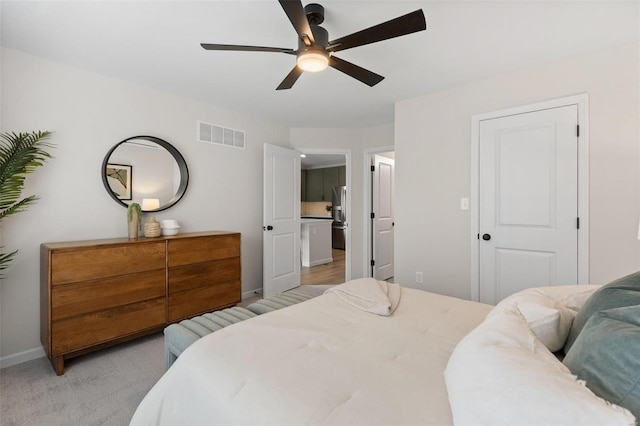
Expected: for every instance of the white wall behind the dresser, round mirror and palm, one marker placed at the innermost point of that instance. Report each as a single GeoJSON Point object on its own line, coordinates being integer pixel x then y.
{"type": "Point", "coordinates": [90, 113]}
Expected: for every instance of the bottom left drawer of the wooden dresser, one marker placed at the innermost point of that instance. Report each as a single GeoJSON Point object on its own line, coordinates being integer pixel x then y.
{"type": "Point", "coordinates": [83, 331]}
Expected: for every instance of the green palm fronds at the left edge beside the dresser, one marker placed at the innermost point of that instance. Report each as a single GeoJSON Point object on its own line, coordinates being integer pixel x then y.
{"type": "Point", "coordinates": [20, 154]}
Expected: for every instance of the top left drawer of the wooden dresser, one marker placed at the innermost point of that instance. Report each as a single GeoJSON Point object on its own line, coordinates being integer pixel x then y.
{"type": "Point", "coordinates": [102, 262]}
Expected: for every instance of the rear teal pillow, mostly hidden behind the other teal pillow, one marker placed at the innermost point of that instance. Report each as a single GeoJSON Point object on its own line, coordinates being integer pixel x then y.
{"type": "Point", "coordinates": [624, 291]}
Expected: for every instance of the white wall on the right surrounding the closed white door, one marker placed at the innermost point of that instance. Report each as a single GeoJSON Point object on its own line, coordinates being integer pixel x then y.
{"type": "Point", "coordinates": [433, 160]}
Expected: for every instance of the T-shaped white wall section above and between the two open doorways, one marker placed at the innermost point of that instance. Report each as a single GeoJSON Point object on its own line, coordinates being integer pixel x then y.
{"type": "Point", "coordinates": [357, 141]}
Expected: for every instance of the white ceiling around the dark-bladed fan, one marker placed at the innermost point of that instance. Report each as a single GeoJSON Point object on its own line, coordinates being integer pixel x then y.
{"type": "Point", "coordinates": [157, 43]}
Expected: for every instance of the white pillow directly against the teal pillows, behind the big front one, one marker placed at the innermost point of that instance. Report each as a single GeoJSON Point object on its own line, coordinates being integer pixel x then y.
{"type": "Point", "coordinates": [548, 319]}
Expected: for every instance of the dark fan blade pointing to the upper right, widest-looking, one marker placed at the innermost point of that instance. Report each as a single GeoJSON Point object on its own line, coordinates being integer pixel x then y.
{"type": "Point", "coordinates": [403, 25]}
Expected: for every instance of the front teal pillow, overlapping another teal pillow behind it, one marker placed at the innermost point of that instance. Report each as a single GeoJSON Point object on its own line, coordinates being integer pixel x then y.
{"type": "Point", "coordinates": [606, 355]}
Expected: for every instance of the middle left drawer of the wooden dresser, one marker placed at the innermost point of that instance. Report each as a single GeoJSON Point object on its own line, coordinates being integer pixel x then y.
{"type": "Point", "coordinates": [81, 298]}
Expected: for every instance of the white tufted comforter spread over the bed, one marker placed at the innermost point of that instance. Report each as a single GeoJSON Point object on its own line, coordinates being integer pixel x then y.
{"type": "Point", "coordinates": [319, 362]}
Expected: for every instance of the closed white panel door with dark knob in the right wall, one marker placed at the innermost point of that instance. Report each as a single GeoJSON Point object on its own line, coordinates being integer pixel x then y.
{"type": "Point", "coordinates": [528, 203]}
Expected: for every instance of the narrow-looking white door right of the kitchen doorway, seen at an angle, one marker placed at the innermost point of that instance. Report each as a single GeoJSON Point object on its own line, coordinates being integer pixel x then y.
{"type": "Point", "coordinates": [383, 217]}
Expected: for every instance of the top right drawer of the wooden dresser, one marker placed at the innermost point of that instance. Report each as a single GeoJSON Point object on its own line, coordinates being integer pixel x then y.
{"type": "Point", "coordinates": [202, 249]}
